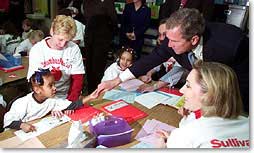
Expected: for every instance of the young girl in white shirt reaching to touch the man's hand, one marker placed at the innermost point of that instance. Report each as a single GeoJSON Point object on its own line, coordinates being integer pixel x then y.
{"type": "Point", "coordinates": [40, 102]}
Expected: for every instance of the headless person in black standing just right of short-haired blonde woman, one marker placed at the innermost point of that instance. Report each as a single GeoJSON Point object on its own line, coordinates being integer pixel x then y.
{"type": "Point", "coordinates": [101, 22]}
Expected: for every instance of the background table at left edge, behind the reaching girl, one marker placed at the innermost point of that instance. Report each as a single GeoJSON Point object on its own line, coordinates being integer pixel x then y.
{"type": "Point", "coordinates": [14, 86]}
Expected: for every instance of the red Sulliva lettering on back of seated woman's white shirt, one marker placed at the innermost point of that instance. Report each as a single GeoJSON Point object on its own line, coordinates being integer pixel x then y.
{"type": "Point", "coordinates": [231, 143]}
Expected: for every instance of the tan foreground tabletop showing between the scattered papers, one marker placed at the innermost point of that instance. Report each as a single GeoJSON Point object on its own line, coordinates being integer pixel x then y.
{"type": "Point", "coordinates": [59, 135]}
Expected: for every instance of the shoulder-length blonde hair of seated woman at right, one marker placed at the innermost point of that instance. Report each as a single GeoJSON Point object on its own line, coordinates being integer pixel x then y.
{"type": "Point", "coordinates": [220, 86]}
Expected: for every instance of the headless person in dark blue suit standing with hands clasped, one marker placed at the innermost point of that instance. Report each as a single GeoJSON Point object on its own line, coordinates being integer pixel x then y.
{"type": "Point", "coordinates": [135, 21]}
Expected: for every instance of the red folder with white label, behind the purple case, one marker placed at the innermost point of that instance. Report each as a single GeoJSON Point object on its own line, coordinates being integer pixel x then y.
{"type": "Point", "coordinates": [129, 112]}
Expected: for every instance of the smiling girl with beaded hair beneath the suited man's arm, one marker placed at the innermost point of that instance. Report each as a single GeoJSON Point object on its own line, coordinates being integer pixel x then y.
{"type": "Point", "coordinates": [126, 57]}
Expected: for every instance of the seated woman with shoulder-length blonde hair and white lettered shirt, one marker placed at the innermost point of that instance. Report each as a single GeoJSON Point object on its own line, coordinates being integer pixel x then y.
{"type": "Point", "coordinates": [212, 111]}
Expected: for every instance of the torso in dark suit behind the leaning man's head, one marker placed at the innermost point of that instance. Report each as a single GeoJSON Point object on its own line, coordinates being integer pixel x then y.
{"type": "Point", "coordinates": [205, 7]}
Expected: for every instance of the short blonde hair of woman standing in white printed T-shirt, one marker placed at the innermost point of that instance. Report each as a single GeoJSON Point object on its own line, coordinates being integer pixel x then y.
{"type": "Point", "coordinates": [64, 25]}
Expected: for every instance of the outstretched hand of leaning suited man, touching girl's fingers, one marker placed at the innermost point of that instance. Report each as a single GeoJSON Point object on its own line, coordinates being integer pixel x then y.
{"type": "Point", "coordinates": [107, 85]}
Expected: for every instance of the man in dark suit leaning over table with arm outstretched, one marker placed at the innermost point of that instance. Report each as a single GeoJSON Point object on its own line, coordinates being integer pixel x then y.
{"type": "Point", "coordinates": [187, 34]}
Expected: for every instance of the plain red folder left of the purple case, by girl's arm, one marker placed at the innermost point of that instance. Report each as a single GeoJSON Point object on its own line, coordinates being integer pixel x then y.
{"type": "Point", "coordinates": [84, 113]}
